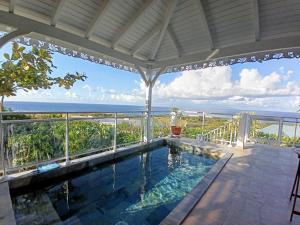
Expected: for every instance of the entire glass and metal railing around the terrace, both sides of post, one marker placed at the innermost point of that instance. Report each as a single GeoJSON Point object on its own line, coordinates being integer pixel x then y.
{"type": "Point", "coordinates": [29, 139]}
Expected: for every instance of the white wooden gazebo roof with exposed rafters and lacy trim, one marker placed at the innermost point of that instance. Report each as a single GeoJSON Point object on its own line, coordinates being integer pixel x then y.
{"type": "Point", "coordinates": [154, 34]}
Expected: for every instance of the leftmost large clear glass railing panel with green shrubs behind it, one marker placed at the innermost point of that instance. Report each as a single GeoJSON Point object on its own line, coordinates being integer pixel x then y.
{"type": "Point", "coordinates": [28, 144]}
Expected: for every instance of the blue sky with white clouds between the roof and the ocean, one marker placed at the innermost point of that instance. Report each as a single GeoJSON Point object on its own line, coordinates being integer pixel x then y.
{"type": "Point", "coordinates": [271, 85]}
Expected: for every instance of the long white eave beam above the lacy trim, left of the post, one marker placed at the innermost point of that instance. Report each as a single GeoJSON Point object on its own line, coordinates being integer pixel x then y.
{"type": "Point", "coordinates": [64, 36]}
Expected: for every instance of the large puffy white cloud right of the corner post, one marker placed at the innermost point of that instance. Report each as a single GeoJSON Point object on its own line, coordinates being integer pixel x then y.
{"type": "Point", "coordinates": [217, 84]}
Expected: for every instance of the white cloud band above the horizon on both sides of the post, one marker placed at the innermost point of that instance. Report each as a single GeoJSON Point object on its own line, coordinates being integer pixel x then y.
{"type": "Point", "coordinates": [211, 86]}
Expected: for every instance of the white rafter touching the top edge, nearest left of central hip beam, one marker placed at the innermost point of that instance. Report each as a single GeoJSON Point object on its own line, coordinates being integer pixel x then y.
{"type": "Point", "coordinates": [139, 14]}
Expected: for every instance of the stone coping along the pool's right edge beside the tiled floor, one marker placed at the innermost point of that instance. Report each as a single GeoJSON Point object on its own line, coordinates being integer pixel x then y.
{"type": "Point", "coordinates": [183, 209]}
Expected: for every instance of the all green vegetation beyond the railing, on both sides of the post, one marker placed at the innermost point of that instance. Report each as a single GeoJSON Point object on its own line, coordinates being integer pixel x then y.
{"type": "Point", "coordinates": [41, 141]}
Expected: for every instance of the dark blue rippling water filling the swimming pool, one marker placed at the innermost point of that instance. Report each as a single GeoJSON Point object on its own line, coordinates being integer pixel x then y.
{"type": "Point", "coordinates": [141, 189]}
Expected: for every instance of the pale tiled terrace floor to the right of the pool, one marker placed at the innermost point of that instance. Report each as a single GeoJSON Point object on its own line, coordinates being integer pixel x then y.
{"type": "Point", "coordinates": [252, 189]}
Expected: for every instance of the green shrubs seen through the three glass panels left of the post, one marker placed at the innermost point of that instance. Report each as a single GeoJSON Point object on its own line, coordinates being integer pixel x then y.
{"type": "Point", "coordinates": [40, 141]}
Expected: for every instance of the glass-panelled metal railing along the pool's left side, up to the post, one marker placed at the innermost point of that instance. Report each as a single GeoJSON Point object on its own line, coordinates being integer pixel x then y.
{"type": "Point", "coordinates": [29, 139]}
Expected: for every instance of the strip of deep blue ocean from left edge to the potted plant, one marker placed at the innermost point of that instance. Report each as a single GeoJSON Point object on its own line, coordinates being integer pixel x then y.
{"type": "Point", "coordinates": [74, 107]}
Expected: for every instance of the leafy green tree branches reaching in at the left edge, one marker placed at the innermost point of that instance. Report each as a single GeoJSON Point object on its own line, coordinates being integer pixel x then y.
{"type": "Point", "coordinates": [30, 70]}
